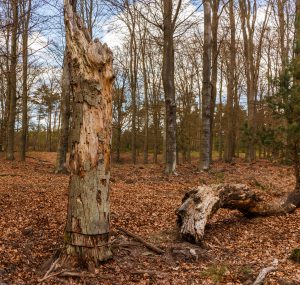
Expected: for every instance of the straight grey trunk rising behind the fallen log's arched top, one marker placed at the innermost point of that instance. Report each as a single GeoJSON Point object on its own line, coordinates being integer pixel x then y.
{"type": "Point", "coordinates": [206, 91]}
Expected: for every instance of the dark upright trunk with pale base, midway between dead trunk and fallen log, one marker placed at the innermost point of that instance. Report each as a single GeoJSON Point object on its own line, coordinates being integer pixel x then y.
{"type": "Point", "coordinates": [169, 87]}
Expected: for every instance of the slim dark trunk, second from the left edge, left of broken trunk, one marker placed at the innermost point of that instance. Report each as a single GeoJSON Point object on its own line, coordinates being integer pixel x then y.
{"type": "Point", "coordinates": [25, 76]}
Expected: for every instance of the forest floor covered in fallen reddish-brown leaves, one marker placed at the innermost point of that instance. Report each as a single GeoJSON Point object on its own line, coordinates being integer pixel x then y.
{"type": "Point", "coordinates": [33, 203]}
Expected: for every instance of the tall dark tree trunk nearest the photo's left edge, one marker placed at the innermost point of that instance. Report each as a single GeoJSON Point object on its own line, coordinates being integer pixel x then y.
{"type": "Point", "coordinates": [13, 85]}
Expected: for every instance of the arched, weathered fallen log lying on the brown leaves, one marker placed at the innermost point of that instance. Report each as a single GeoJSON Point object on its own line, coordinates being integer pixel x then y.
{"type": "Point", "coordinates": [200, 204]}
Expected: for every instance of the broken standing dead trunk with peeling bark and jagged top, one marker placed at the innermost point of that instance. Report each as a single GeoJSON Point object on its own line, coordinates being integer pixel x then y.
{"type": "Point", "coordinates": [87, 228]}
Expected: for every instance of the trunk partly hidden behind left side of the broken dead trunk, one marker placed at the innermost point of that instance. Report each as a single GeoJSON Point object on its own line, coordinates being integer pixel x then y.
{"type": "Point", "coordinates": [62, 150]}
